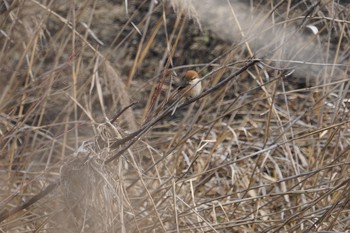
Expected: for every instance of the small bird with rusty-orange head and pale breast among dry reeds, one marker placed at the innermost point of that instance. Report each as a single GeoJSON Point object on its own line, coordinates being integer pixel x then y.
{"type": "Point", "coordinates": [191, 84]}
